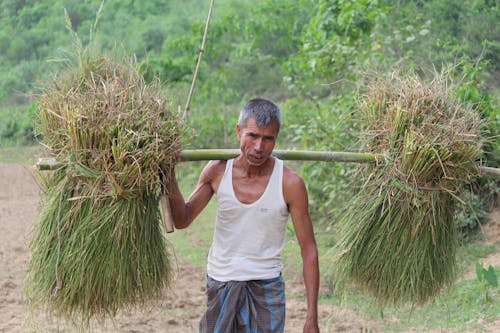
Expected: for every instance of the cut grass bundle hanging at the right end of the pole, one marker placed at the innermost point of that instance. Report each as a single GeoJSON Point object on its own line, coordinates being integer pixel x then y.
{"type": "Point", "coordinates": [397, 235]}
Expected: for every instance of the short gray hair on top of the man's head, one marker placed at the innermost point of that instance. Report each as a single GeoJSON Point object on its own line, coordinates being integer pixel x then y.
{"type": "Point", "coordinates": [263, 111]}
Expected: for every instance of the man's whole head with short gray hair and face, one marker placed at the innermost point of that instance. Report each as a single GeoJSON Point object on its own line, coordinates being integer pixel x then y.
{"type": "Point", "coordinates": [257, 130]}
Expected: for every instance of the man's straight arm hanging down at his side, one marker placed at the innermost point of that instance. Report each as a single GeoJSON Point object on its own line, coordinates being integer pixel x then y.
{"type": "Point", "coordinates": [297, 199]}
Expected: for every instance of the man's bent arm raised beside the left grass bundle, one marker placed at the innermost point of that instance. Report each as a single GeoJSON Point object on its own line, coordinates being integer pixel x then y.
{"type": "Point", "coordinates": [184, 212]}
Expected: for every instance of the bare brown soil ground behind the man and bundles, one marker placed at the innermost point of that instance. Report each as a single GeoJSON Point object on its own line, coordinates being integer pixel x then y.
{"type": "Point", "coordinates": [180, 309]}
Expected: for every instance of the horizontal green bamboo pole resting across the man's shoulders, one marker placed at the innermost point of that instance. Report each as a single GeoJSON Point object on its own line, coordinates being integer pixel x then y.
{"type": "Point", "coordinates": [49, 163]}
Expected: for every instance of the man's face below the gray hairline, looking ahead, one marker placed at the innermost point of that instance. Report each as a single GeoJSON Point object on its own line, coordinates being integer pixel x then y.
{"type": "Point", "coordinates": [257, 143]}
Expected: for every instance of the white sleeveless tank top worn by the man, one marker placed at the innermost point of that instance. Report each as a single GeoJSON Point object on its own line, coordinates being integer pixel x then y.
{"type": "Point", "coordinates": [248, 238]}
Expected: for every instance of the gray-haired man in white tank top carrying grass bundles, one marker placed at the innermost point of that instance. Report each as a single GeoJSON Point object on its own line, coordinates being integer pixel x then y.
{"type": "Point", "coordinates": [255, 195]}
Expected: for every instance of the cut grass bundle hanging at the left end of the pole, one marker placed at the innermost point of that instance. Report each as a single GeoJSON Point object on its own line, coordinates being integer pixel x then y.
{"type": "Point", "coordinates": [100, 245]}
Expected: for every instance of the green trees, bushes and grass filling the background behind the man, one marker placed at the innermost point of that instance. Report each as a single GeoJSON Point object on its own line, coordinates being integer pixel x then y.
{"type": "Point", "coordinates": [313, 57]}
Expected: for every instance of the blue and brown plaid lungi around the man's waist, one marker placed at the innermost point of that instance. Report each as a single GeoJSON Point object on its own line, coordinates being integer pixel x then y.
{"type": "Point", "coordinates": [256, 306]}
